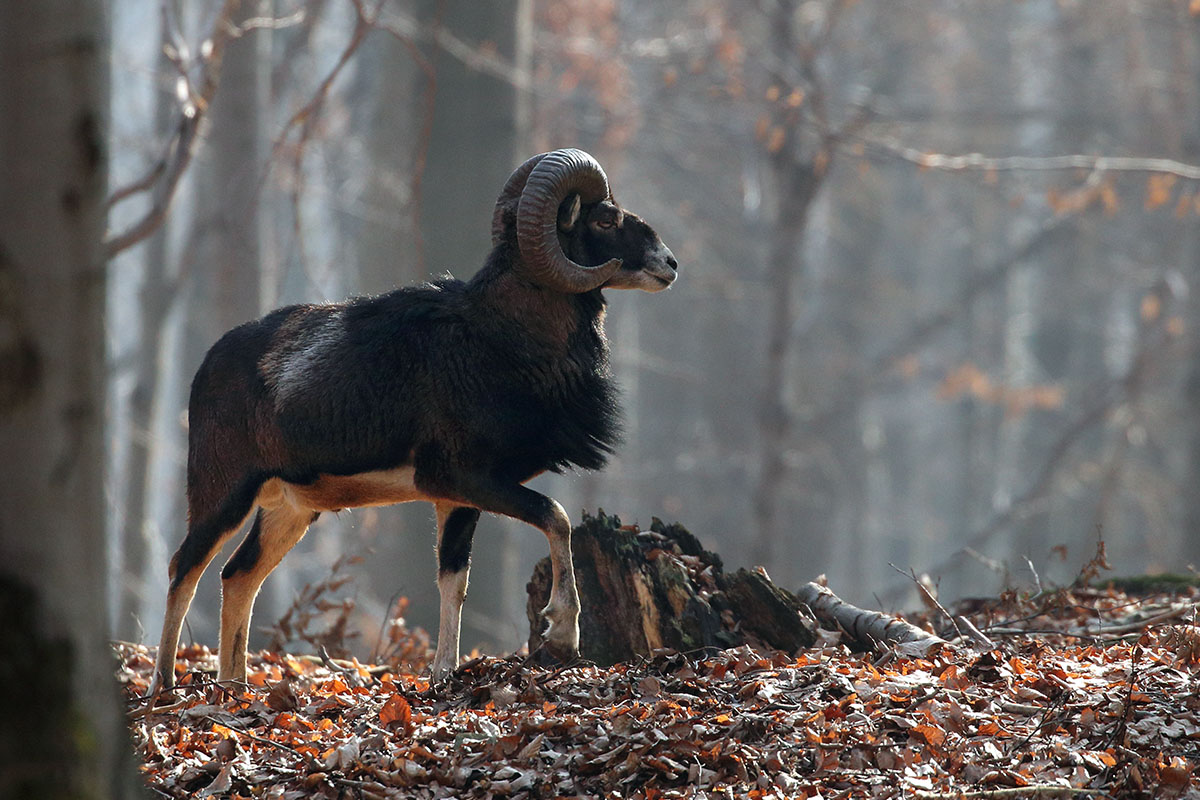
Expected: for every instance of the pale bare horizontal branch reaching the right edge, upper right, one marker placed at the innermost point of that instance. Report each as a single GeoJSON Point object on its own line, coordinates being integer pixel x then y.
{"type": "Point", "coordinates": [975, 161]}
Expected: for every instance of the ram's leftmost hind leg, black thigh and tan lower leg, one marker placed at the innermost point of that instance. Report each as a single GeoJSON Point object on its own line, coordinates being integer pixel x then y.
{"type": "Point", "coordinates": [199, 550]}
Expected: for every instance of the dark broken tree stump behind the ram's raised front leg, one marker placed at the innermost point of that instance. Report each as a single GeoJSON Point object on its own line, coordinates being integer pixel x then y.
{"type": "Point", "coordinates": [643, 591]}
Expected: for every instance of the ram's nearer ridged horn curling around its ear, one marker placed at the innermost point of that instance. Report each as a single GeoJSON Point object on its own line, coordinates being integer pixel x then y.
{"type": "Point", "coordinates": [553, 179]}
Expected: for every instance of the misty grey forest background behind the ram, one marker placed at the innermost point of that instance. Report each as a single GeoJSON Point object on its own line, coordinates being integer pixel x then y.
{"type": "Point", "coordinates": [939, 266]}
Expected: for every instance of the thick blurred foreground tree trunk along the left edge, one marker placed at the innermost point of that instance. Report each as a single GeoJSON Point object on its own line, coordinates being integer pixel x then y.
{"type": "Point", "coordinates": [63, 735]}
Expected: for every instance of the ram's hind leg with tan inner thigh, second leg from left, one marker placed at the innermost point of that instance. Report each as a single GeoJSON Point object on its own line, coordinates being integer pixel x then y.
{"type": "Point", "coordinates": [277, 531]}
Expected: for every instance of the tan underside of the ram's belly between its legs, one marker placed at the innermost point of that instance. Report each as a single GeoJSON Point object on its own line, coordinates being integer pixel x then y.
{"type": "Point", "coordinates": [334, 492]}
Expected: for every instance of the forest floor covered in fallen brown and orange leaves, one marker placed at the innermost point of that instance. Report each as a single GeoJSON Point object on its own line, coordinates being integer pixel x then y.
{"type": "Point", "coordinates": [1071, 694]}
